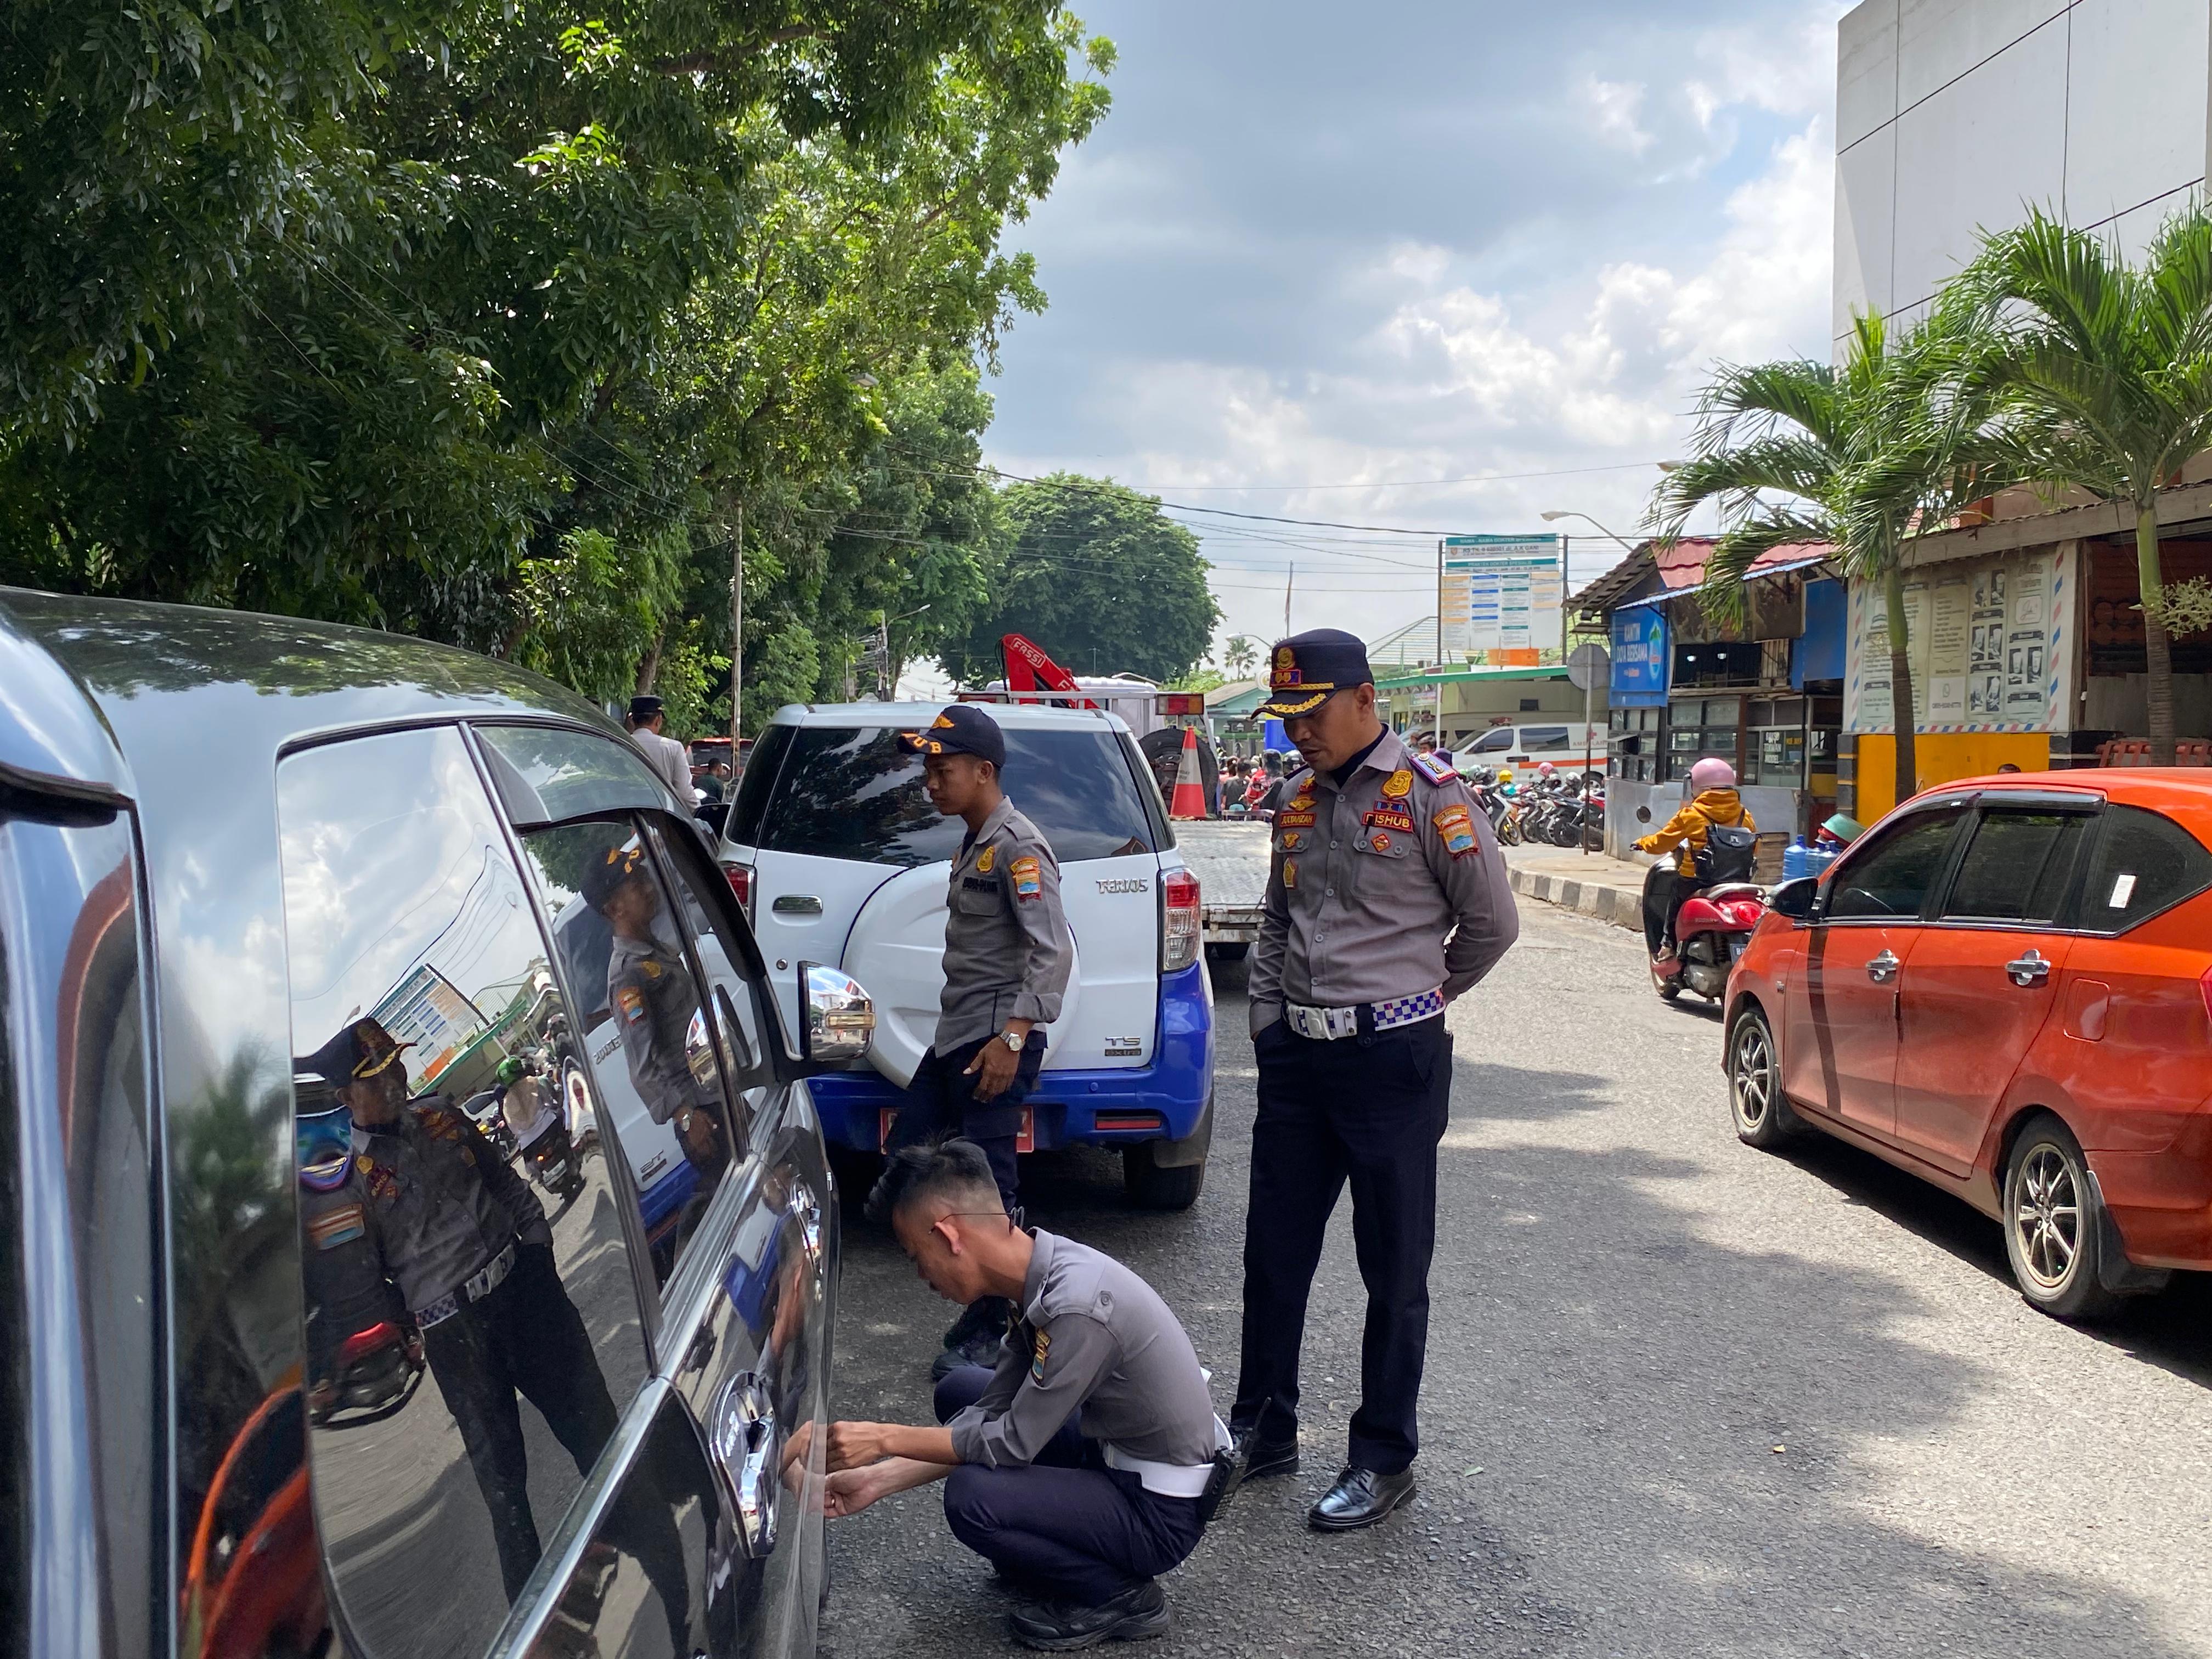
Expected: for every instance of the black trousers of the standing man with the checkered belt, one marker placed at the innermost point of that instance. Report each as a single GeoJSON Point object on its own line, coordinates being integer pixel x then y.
{"type": "Point", "coordinates": [1364, 1112]}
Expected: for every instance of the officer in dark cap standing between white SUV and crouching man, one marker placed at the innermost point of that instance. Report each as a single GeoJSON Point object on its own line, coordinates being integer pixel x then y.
{"type": "Point", "coordinates": [1008, 957]}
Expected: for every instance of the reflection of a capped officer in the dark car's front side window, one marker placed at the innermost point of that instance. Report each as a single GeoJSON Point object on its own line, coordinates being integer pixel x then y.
{"type": "Point", "coordinates": [654, 999]}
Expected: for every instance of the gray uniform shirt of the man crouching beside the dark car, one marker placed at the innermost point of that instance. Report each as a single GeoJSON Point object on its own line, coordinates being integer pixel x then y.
{"type": "Point", "coordinates": [1100, 1342]}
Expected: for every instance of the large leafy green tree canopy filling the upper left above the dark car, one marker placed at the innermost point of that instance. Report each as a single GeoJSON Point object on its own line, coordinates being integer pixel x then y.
{"type": "Point", "coordinates": [501, 326]}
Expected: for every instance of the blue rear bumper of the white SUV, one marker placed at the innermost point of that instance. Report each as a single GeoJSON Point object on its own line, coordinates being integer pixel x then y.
{"type": "Point", "coordinates": [1167, 1098]}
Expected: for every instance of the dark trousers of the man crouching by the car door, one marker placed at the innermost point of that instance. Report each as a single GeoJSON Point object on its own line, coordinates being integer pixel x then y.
{"type": "Point", "coordinates": [1067, 1525]}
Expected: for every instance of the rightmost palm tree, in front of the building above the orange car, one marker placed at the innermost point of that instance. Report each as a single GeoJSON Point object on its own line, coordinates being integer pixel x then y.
{"type": "Point", "coordinates": [2105, 375]}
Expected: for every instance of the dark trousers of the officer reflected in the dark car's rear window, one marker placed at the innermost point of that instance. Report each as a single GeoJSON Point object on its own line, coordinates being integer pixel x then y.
{"type": "Point", "coordinates": [528, 1339]}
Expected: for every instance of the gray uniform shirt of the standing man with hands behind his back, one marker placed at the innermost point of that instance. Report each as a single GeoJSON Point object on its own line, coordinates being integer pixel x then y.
{"type": "Point", "coordinates": [1381, 890]}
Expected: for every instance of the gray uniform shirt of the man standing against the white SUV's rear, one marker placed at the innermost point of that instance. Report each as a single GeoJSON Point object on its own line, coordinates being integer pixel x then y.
{"type": "Point", "coordinates": [1008, 948]}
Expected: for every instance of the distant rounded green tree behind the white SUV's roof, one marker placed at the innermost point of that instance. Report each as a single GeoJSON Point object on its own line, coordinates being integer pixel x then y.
{"type": "Point", "coordinates": [1096, 576]}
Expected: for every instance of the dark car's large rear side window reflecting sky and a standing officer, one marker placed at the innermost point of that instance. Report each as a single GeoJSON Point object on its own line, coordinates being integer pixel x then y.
{"type": "Point", "coordinates": [444, 1282]}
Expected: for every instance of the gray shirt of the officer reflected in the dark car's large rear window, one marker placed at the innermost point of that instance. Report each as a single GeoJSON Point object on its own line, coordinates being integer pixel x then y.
{"type": "Point", "coordinates": [439, 1202]}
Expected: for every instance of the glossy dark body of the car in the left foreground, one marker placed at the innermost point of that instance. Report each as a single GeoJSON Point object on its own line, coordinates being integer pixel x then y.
{"type": "Point", "coordinates": [167, 1485]}
